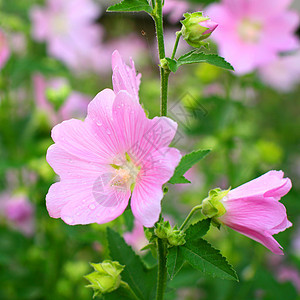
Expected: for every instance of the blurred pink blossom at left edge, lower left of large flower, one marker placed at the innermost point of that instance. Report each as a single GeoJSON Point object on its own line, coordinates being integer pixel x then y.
{"type": "Point", "coordinates": [19, 212]}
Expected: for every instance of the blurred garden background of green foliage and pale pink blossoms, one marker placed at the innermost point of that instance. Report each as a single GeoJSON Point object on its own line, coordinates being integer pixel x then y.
{"type": "Point", "coordinates": [54, 58]}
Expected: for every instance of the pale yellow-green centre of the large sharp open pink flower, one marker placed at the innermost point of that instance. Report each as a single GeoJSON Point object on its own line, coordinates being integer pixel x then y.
{"type": "Point", "coordinates": [125, 174]}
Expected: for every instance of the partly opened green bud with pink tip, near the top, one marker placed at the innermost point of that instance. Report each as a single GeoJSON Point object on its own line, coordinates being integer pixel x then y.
{"type": "Point", "coordinates": [196, 28]}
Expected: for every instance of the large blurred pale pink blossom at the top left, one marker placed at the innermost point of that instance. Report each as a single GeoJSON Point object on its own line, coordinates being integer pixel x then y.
{"type": "Point", "coordinates": [69, 29]}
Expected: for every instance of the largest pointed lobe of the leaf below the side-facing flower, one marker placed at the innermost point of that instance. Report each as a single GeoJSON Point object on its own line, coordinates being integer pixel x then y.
{"type": "Point", "coordinates": [202, 256]}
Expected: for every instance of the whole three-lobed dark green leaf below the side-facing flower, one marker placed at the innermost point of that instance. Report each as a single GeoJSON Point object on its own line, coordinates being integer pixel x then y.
{"type": "Point", "coordinates": [199, 254]}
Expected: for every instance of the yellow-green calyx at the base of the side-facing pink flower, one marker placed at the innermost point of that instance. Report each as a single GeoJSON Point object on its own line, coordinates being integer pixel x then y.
{"type": "Point", "coordinates": [212, 206]}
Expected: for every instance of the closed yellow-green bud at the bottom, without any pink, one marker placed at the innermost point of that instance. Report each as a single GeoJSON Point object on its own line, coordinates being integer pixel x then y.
{"type": "Point", "coordinates": [106, 277]}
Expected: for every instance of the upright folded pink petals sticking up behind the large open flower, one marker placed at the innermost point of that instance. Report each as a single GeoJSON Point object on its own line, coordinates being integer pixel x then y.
{"type": "Point", "coordinates": [124, 78]}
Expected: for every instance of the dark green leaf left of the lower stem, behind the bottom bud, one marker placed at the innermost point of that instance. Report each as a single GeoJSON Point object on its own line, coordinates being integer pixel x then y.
{"type": "Point", "coordinates": [141, 280]}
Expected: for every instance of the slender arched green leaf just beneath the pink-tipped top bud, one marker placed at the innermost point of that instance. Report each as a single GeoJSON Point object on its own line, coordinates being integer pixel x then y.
{"type": "Point", "coordinates": [199, 57]}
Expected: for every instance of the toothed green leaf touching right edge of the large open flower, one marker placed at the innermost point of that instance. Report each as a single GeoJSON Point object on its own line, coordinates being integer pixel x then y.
{"type": "Point", "coordinates": [185, 164]}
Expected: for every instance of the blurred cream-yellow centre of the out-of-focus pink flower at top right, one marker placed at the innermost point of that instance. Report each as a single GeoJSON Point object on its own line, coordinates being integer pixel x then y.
{"type": "Point", "coordinates": [250, 31]}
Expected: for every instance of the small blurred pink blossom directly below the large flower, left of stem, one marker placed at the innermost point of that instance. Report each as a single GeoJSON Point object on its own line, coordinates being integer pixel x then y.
{"type": "Point", "coordinates": [136, 239]}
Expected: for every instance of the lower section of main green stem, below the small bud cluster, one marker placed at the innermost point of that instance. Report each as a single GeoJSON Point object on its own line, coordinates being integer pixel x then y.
{"type": "Point", "coordinates": [162, 270]}
